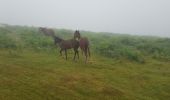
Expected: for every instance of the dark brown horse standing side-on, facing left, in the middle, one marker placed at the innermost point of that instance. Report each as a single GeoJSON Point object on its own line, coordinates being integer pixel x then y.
{"type": "Point", "coordinates": [67, 44]}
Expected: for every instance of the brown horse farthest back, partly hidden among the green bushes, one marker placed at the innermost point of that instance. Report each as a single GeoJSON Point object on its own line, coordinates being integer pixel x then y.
{"type": "Point", "coordinates": [46, 31]}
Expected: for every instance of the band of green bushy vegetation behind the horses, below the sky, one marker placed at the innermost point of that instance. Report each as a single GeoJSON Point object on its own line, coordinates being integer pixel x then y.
{"type": "Point", "coordinates": [116, 46]}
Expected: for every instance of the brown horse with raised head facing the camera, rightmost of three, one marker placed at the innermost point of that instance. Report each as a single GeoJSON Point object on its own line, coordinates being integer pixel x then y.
{"type": "Point", "coordinates": [83, 43]}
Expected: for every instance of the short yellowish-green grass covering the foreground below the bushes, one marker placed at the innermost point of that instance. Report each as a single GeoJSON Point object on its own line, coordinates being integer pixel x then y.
{"type": "Point", "coordinates": [40, 75]}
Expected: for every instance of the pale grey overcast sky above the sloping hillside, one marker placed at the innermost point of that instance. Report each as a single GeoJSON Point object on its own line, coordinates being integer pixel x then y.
{"type": "Point", "coordinates": [143, 17]}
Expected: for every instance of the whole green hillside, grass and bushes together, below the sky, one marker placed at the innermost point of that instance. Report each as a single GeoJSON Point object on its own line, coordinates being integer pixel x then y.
{"type": "Point", "coordinates": [121, 67]}
